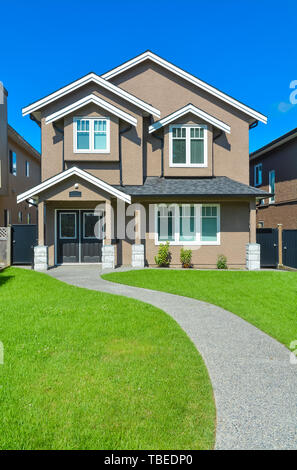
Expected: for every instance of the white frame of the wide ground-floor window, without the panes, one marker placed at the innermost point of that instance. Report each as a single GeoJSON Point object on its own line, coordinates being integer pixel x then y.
{"type": "Point", "coordinates": [198, 225]}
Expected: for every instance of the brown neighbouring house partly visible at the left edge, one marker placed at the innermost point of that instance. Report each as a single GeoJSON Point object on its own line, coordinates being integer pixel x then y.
{"type": "Point", "coordinates": [19, 171]}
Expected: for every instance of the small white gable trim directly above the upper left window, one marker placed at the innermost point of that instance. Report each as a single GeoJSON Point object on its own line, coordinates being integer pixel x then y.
{"type": "Point", "coordinates": [91, 99]}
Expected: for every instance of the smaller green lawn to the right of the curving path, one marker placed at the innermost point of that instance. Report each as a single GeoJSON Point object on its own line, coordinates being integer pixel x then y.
{"type": "Point", "coordinates": [268, 299]}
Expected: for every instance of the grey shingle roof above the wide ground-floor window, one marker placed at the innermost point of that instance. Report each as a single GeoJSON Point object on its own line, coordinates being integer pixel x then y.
{"type": "Point", "coordinates": [216, 186]}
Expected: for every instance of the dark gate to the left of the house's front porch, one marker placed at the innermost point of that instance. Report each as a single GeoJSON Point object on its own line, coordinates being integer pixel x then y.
{"type": "Point", "coordinates": [24, 238]}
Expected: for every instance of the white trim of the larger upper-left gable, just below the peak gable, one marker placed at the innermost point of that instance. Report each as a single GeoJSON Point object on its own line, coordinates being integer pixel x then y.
{"type": "Point", "coordinates": [91, 77]}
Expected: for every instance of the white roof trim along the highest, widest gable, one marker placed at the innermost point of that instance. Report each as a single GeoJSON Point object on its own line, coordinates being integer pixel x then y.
{"type": "Point", "coordinates": [187, 76]}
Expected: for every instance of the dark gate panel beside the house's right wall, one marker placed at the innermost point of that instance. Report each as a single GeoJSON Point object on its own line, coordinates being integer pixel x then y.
{"type": "Point", "coordinates": [268, 239]}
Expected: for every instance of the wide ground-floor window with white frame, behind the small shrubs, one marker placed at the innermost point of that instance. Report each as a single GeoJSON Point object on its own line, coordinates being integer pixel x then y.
{"type": "Point", "coordinates": [188, 224]}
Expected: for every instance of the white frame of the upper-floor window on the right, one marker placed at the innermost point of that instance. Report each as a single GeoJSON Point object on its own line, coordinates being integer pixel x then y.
{"type": "Point", "coordinates": [188, 163]}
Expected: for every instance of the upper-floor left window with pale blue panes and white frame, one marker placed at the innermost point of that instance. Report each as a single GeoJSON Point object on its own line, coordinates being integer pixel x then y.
{"type": "Point", "coordinates": [91, 135]}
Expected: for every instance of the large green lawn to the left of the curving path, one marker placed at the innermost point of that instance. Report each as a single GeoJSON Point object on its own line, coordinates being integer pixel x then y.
{"type": "Point", "coordinates": [87, 370]}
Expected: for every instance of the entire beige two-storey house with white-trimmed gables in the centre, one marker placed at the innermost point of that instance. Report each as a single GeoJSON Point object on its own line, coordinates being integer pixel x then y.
{"type": "Point", "coordinates": [149, 133]}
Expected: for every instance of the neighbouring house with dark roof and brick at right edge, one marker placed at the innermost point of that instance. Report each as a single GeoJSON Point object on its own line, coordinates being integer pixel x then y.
{"type": "Point", "coordinates": [273, 168]}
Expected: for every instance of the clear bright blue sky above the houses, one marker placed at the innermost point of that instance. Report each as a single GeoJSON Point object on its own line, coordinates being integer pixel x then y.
{"type": "Point", "coordinates": [246, 48]}
